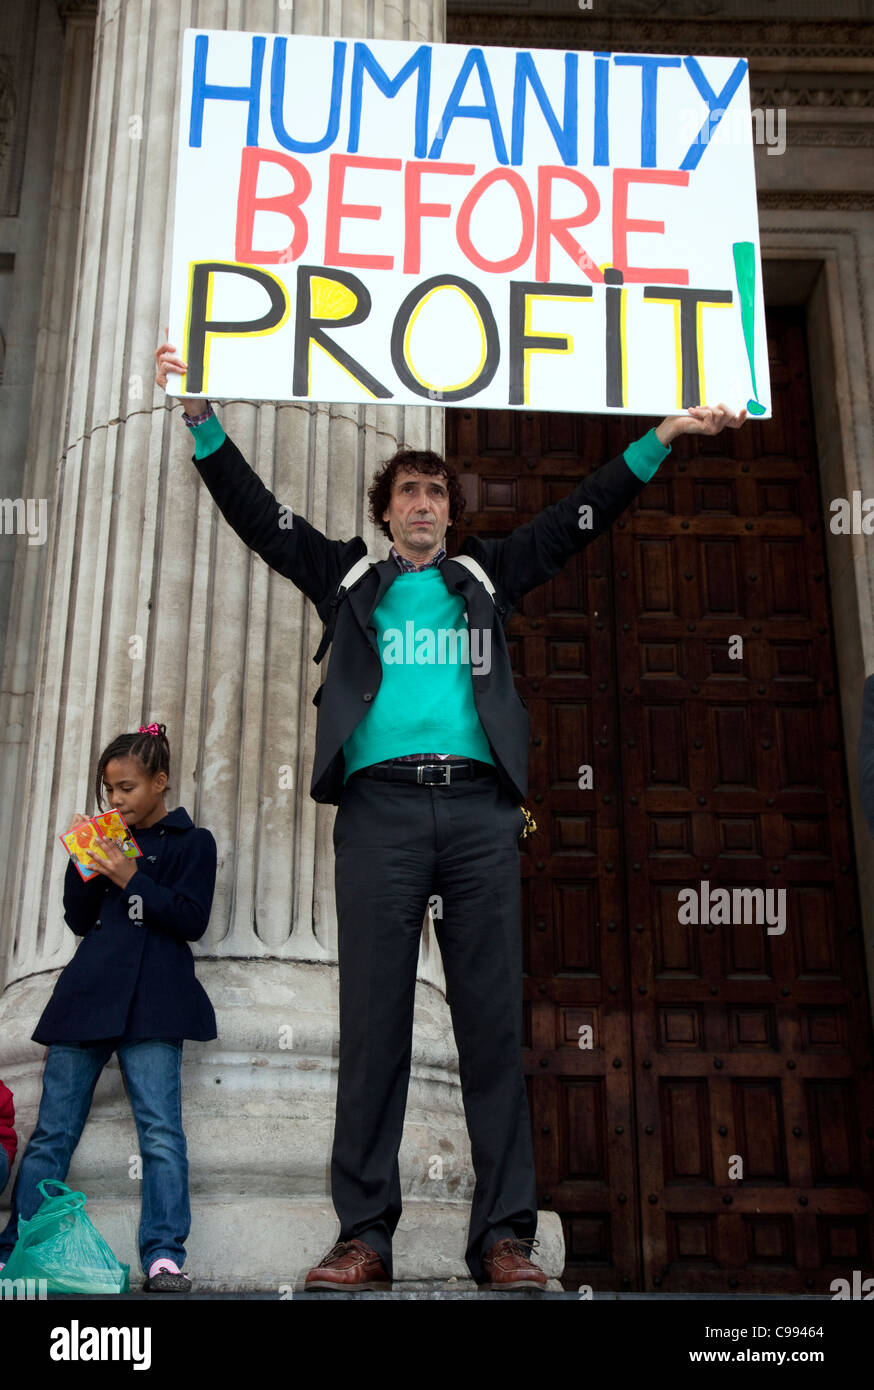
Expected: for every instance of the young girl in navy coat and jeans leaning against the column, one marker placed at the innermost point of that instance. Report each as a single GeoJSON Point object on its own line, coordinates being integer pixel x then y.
{"type": "Point", "coordinates": [131, 990]}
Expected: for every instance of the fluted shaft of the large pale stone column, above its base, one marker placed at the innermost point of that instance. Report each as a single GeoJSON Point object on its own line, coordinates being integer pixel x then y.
{"type": "Point", "coordinates": [154, 608]}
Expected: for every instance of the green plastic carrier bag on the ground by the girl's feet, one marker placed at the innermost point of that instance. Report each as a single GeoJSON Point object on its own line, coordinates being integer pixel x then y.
{"type": "Point", "coordinates": [62, 1246]}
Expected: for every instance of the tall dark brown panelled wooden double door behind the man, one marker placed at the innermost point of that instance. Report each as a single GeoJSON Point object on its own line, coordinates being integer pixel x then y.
{"type": "Point", "coordinates": [715, 1129]}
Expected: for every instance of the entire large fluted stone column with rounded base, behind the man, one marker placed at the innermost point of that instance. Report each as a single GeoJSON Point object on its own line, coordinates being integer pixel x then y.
{"type": "Point", "coordinates": [155, 610]}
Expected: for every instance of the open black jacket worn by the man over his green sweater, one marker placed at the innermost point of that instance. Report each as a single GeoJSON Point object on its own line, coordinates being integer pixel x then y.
{"type": "Point", "coordinates": [529, 557]}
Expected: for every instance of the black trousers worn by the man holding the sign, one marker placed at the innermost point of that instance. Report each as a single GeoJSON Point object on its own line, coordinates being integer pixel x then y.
{"type": "Point", "coordinates": [397, 844]}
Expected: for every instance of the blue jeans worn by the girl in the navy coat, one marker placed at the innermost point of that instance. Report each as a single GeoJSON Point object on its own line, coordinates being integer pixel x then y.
{"type": "Point", "coordinates": [152, 1075]}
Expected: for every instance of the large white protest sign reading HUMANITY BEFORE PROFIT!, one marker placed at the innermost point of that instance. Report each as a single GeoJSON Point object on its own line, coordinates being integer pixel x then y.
{"type": "Point", "coordinates": [409, 223]}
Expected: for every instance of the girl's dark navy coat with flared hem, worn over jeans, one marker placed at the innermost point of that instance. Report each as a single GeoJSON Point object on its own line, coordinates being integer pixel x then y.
{"type": "Point", "coordinates": [134, 974]}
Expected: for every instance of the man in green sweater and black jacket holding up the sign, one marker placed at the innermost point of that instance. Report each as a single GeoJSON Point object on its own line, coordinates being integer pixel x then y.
{"type": "Point", "coordinates": [423, 744]}
